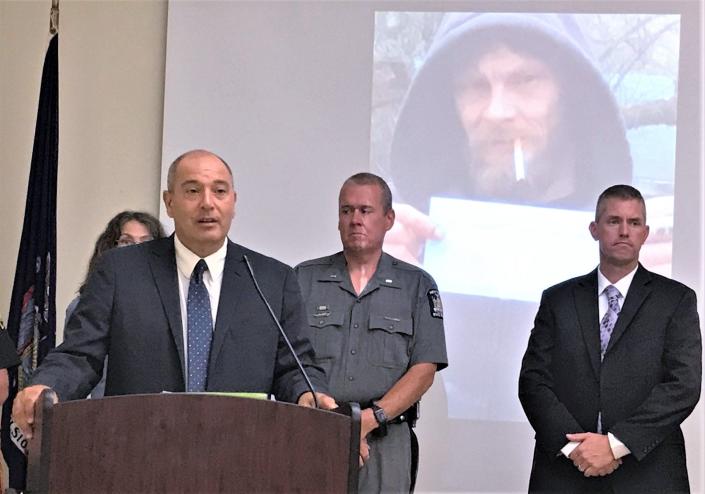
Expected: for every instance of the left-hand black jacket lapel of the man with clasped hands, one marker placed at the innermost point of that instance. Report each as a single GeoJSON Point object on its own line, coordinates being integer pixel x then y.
{"type": "Point", "coordinates": [585, 293]}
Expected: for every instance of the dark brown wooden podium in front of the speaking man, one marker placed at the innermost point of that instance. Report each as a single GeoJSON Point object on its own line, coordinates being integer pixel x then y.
{"type": "Point", "coordinates": [195, 443]}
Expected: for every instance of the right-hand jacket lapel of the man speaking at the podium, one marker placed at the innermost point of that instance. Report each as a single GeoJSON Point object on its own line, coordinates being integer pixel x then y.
{"type": "Point", "coordinates": [235, 279]}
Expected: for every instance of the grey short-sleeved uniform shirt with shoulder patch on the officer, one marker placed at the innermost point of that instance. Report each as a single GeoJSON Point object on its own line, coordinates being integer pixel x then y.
{"type": "Point", "coordinates": [366, 343]}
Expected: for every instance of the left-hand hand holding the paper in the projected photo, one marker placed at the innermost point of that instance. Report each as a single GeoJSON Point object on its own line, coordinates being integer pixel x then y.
{"type": "Point", "coordinates": [411, 230]}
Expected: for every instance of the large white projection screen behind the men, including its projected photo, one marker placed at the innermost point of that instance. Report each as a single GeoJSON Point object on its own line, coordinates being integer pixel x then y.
{"type": "Point", "coordinates": [299, 95]}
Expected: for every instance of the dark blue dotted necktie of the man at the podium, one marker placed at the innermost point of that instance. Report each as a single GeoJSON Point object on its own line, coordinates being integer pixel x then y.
{"type": "Point", "coordinates": [200, 329]}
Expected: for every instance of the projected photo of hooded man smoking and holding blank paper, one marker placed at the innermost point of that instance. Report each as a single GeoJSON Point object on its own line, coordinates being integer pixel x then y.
{"type": "Point", "coordinates": [498, 131]}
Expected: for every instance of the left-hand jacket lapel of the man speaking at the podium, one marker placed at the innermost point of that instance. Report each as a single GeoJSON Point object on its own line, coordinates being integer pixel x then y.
{"type": "Point", "coordinates": [162, 262]}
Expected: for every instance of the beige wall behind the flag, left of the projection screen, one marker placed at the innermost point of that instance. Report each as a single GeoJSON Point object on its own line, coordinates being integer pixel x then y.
{"type": "Point", "coordinates": [111, 64]}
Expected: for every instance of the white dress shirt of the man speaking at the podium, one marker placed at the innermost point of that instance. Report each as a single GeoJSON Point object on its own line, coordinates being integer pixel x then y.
{"type": "Point", "coordinates": [212, 279]}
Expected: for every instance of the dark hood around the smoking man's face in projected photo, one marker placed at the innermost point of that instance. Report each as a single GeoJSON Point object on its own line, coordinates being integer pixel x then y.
{"type": "Point", "coordinates": [428, 150]}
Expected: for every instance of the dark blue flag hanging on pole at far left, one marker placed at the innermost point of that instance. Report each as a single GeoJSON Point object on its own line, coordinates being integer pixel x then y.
{"type": "Point", "coordinates": [32, 319]}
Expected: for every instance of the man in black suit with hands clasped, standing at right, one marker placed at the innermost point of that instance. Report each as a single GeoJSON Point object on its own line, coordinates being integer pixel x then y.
{"type": "Point", "coordinates": [612, 368]}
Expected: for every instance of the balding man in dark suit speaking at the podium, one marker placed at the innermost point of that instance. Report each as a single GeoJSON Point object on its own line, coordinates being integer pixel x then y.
{"type": "Point", "coordinates": [136, 309]}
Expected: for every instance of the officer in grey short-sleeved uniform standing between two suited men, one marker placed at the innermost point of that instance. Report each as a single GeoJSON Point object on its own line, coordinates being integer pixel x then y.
{"type": "Point", "coordinates": [377, 328]}
